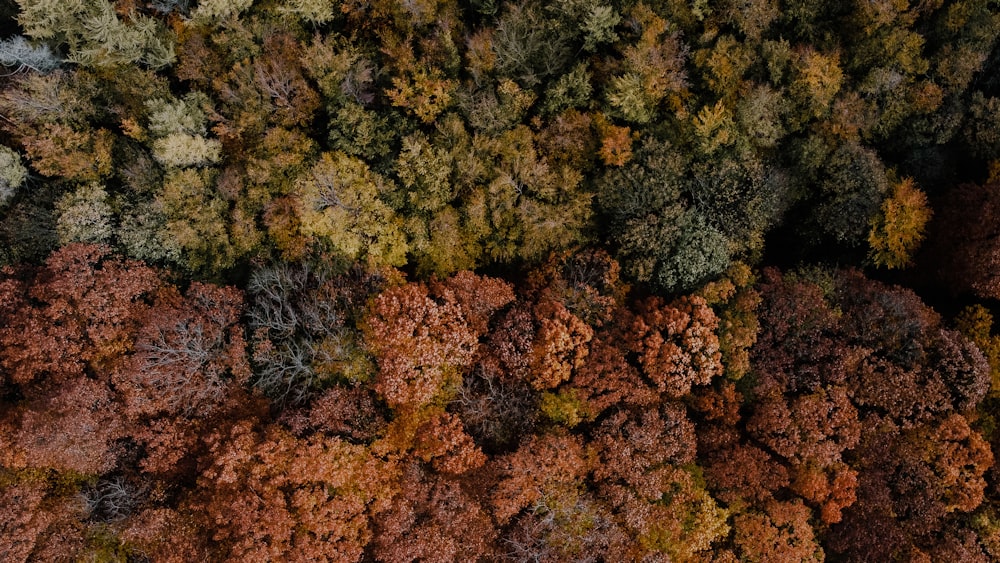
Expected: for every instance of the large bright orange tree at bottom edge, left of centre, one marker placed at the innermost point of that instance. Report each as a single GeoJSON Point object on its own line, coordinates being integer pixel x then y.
{"type": "Point", "coordinates": [266, 495]}
